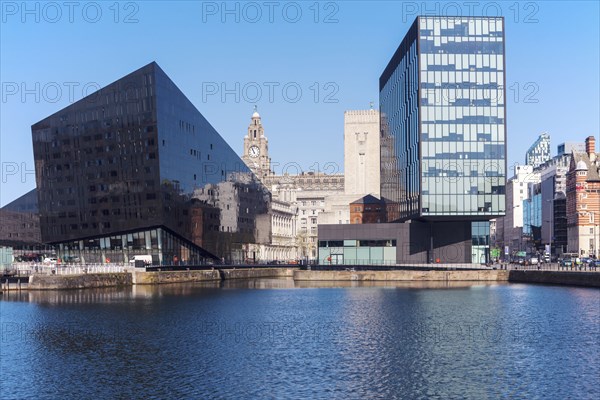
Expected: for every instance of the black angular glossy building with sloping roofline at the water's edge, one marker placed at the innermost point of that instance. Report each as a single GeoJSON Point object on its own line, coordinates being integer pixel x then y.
{"type": "Point", "coordinates": [136, 169]}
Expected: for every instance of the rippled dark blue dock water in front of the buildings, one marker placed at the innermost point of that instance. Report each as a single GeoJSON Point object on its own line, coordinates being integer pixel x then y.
{"type": "Point", "coordinates": [272, 339]}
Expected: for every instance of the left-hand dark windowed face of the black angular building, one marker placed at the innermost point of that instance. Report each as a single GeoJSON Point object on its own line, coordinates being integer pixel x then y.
{"type": "Point", "coordinates": [97, 162]}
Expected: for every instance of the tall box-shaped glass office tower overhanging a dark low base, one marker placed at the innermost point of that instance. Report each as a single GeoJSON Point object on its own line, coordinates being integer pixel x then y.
{"type": "Point", "coordinates": [442, 100]}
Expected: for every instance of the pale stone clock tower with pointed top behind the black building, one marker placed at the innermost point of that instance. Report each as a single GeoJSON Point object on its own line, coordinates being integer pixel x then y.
{"type": "Point", "coordinates": [256, 148]}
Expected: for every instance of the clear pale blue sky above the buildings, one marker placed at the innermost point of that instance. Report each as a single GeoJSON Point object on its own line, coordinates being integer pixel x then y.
{"type": "Point", "coordinates": [333, 52]}
